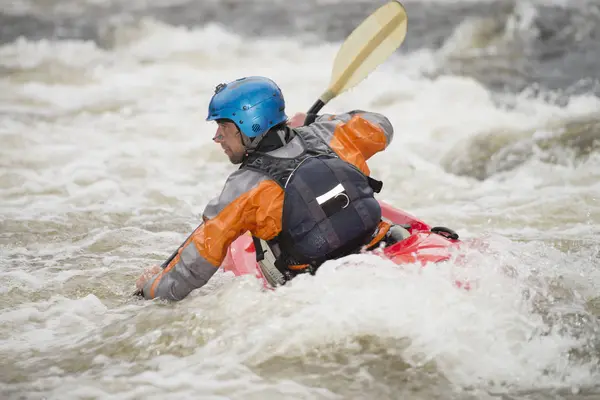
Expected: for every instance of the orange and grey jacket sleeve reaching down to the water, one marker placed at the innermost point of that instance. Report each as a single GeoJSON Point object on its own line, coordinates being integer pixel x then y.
{"type": "Point", "coordinates": [249, 202]}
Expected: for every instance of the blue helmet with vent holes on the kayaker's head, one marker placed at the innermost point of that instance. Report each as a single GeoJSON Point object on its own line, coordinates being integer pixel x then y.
{"type": "Point", "coordinates": [255, 104]}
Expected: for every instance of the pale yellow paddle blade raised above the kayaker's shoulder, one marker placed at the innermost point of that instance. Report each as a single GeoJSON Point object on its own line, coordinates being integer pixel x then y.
{"type": "Point", "coordinates": [371, 43]}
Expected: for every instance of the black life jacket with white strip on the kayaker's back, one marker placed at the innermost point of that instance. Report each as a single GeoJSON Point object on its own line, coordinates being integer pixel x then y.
{"type": "Point", "coordinates": [329, 208]}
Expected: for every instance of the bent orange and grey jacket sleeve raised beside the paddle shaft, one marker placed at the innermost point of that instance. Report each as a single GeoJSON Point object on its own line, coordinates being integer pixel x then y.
{"type": "Point", "coordinates": [355, 136]}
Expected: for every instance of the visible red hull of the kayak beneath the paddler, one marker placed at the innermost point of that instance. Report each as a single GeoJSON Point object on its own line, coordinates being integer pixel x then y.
{"type": "Point", "coordinates": [424, 245]}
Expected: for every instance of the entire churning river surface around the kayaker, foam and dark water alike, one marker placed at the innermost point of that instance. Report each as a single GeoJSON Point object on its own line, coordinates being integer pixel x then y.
{"type": "Point", "coordinates": [106, 164]}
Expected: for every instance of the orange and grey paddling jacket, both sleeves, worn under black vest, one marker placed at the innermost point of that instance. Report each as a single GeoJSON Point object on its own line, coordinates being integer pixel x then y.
{"type": "Point", "coordinates": [251, 201]}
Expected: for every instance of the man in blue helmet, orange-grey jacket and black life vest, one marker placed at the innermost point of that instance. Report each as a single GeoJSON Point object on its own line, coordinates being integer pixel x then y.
{"type": "Point", "coordinates": [320, 171]}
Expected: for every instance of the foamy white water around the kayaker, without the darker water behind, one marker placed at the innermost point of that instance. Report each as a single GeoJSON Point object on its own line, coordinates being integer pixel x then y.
{"type": "Point", "coordinates": [106, 164]}
